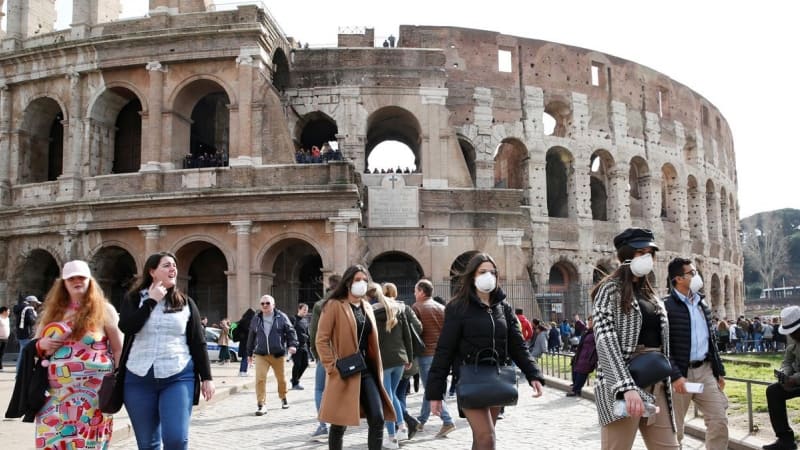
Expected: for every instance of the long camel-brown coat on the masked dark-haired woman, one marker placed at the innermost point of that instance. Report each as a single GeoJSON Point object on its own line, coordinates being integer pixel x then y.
{"type": "Point", "coordinates": [336, 336]}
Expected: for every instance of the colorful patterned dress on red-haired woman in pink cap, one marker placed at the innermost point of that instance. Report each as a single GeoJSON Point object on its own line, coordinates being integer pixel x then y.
{"type": "Point", "coordinates": [71, 418]}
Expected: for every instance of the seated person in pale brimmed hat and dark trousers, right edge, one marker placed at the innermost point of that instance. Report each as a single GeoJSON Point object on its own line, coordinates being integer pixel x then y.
{"type": "Point", "coordinates": [788, 384]}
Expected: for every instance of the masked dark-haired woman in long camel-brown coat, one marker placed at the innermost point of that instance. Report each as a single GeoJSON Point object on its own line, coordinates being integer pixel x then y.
{"type": "Point", "coordinates": [347, 326]}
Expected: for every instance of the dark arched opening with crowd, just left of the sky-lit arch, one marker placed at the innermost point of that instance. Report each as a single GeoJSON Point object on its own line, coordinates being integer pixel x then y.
{"type": "Point", "coordinates": [317, 138]}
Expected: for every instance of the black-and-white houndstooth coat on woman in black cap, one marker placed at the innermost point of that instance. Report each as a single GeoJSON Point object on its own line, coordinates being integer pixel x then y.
{"type": "Point", "coordinates": [616, 337]}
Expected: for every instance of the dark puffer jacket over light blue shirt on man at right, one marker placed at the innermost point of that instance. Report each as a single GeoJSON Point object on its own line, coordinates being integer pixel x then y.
{"type": "Point", "coordinates": [680, 337]}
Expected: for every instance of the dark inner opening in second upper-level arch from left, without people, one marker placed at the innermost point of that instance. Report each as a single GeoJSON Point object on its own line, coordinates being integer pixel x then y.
{"type": "Point", "coordinates": [128, 138]}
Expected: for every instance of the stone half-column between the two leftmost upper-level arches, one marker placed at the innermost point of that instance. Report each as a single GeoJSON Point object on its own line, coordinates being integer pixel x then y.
{"type": "Point", "coordinates": [70, 179]}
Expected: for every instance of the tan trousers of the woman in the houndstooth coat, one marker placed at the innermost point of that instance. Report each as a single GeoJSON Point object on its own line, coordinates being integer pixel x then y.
{"type": "Point", "coordinates": [656, 431]}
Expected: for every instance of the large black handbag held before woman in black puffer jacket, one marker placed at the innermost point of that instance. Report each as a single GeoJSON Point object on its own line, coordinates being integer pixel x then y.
{"type": "Point", "coordinates": [486, 383]}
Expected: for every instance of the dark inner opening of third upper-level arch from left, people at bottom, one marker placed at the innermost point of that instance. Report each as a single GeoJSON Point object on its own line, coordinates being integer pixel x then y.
{"type": "Point", "coordinates": [208, 143]}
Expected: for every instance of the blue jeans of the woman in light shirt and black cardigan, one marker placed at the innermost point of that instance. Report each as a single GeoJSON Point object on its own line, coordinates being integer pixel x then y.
{"type": "Point", "coordinates": [160, 408]}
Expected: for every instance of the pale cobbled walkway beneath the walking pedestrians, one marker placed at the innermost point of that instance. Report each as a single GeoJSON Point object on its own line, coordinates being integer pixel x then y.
{"type": "Point", "coordinates": [552, 421]}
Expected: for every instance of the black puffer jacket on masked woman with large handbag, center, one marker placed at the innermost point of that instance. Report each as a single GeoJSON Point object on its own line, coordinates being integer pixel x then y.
{"type": "Point", "coordinates": [473, 327]}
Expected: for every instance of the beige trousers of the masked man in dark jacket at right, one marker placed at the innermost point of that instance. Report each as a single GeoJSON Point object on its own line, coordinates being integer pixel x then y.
{"type": "Point", "coordinates": [712, 403]}
